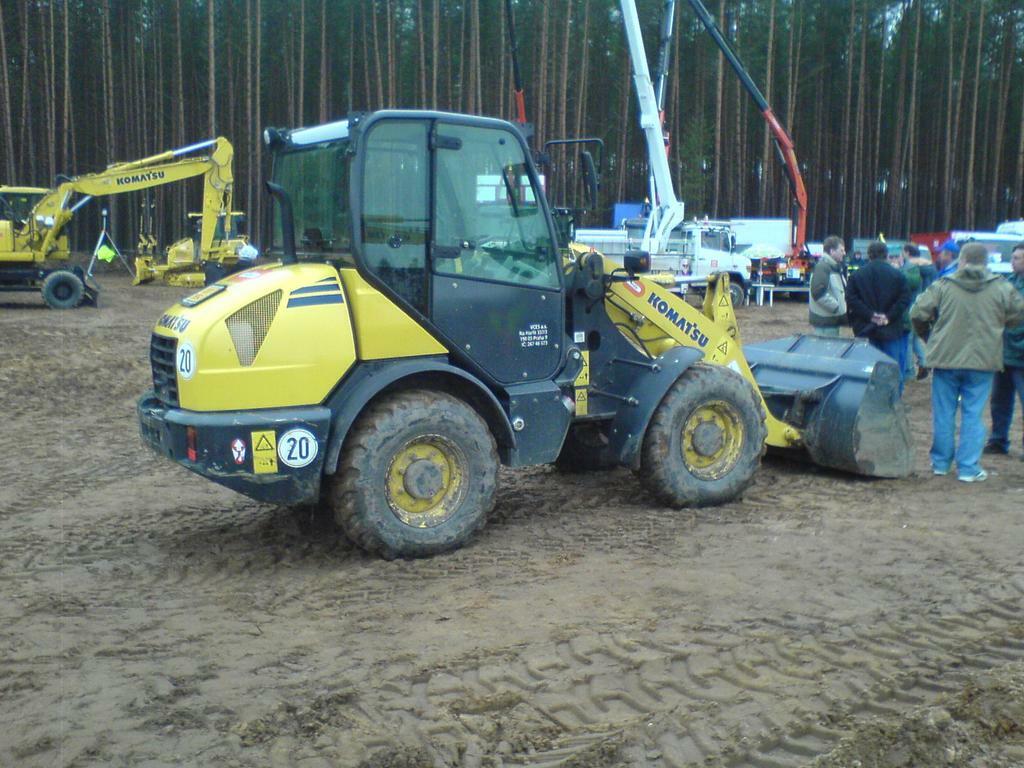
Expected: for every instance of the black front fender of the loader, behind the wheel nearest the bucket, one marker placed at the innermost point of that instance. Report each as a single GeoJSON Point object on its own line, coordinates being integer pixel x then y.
{"type": "Point", "coordinates": [630, 424]}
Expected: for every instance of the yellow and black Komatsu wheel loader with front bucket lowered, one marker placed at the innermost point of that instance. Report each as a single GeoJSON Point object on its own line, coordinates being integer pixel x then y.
{"type": "Point", "coordinates": [423, 328]}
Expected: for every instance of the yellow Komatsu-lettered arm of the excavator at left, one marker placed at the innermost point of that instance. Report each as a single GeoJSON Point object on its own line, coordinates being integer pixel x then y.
{"type": "Point", "coordinates": [55, 211]}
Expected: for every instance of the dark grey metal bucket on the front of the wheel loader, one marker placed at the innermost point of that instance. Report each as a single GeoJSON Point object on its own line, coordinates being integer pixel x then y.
{"type": "Point", "coordinates": [843, 397]}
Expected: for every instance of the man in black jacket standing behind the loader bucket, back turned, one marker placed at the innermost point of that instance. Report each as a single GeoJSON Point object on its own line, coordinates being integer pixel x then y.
{"type": "Point", "coordinates": [877, 297]}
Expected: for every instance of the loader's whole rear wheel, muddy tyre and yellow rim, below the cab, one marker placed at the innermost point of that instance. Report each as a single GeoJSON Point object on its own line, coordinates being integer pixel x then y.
{"type": "Point", "coordinates": [418, 477]}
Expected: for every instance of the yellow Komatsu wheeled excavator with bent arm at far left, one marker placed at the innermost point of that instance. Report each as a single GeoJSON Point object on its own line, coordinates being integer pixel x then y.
{"type": "Point", "coordinates": [33, 223]}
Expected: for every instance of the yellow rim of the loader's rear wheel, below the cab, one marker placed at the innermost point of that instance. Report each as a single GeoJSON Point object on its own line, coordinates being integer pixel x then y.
{"type": "Point", "coordinates": [426, 481]}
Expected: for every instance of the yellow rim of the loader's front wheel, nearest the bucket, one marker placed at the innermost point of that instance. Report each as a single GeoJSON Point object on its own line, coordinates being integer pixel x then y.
{"type": "Point", "coordinates": [713, 437]}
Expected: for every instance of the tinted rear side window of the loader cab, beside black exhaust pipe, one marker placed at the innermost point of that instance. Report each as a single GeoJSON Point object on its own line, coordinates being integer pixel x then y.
{"type": "Point", "coordinates": [316, 179]}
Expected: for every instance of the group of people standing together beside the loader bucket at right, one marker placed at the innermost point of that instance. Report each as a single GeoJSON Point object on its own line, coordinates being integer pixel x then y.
{"type": "Point", "coordinates": [952, 317]}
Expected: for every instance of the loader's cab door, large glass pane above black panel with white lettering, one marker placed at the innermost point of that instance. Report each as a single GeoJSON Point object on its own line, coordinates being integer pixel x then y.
{"type": "Point", "coordinates": [496, 275]}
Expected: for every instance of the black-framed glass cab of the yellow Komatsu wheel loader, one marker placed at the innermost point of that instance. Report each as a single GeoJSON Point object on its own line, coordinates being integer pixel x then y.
{"type": "Point", "coordinates": [446, 217]}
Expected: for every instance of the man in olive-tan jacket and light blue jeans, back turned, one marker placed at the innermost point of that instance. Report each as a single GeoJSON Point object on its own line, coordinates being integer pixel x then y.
{"type": "Point", "coordinates": [962, 317]}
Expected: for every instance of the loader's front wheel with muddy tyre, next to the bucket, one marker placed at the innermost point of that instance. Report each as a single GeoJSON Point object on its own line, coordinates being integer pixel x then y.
{"type": "Point", "coordinates": [706, 440]}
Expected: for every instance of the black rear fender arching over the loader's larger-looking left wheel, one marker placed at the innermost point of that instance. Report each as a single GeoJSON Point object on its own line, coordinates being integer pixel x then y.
{"type": "Point", "coordinates": [370, 379]}
